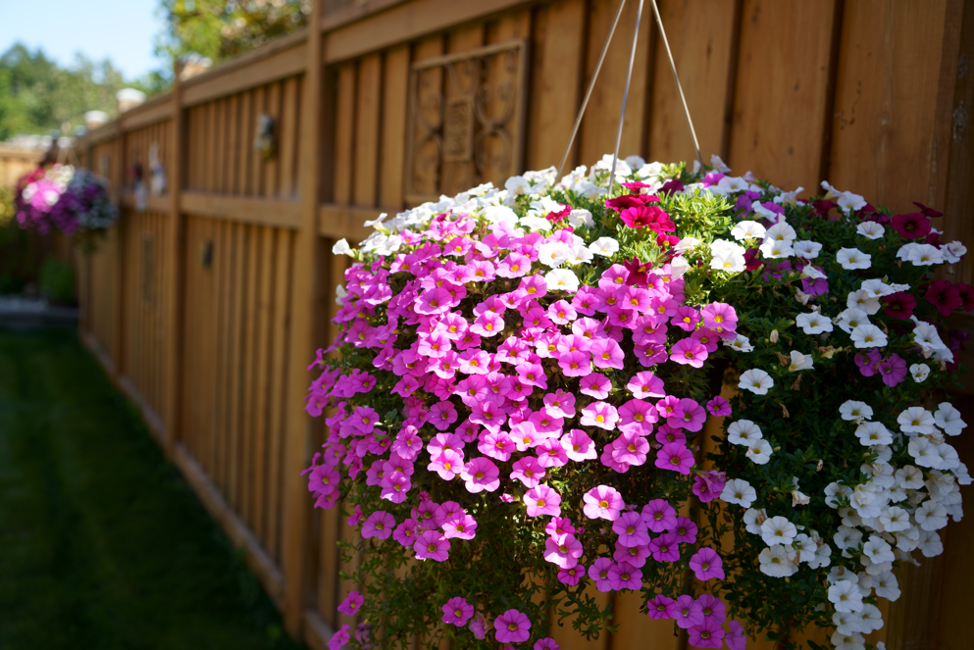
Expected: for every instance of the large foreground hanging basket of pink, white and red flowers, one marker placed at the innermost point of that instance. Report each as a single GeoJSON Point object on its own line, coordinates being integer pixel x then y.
{"type": "Point", "coordinates": [517, 400]}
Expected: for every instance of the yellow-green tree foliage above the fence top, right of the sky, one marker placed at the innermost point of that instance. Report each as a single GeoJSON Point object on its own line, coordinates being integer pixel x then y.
{"type": "Point", "coordinates": [221, 29]}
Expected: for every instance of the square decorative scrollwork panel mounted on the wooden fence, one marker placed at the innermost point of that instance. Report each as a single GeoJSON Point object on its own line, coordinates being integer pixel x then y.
{"type": "Point", "coordinates": [466, 116]}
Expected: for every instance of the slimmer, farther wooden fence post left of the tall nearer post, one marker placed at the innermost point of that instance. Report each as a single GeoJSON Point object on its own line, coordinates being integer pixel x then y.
{"type": "Point", "coordinates": [175, 265]}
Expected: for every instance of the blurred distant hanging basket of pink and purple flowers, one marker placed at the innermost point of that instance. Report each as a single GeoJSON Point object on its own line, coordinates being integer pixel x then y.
{"type": "Point", "coordinates": [60, 197]}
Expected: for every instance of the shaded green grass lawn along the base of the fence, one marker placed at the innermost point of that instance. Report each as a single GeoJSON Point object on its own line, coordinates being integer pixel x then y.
{"type": "Point", "coordinates": [102, 544]}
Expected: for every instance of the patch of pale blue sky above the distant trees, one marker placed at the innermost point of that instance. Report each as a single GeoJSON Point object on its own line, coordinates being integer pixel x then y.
{"type": "Point", "coordinates": [121, 30]}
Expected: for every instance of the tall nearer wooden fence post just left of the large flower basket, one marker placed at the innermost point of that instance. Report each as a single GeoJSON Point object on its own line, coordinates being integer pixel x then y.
{"type": "Point", "coordinates": [295, 552]}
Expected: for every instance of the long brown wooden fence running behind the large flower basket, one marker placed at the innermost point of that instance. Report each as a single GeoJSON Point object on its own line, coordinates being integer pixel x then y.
{"type": "Point", "coordinates": [208, 302]}
